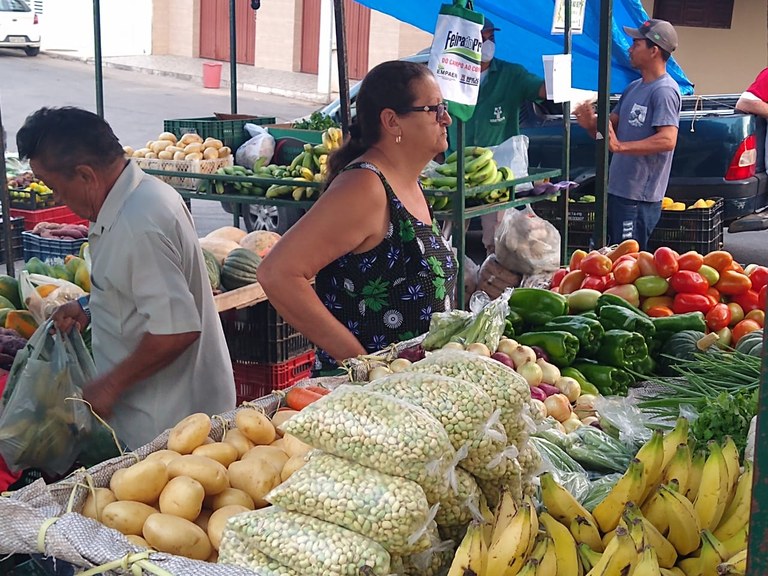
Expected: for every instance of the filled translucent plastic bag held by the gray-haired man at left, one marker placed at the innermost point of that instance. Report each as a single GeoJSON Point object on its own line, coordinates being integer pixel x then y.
{"type": "Point", "coordinates": [42, 423]}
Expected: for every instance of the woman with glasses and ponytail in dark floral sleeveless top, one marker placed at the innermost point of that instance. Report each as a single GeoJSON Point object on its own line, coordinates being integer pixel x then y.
{"type": "Point", "coordinates": [380, 263]}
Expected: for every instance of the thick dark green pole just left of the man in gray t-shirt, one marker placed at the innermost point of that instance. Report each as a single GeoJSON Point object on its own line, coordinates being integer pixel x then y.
{"type": "Point", "coordinates": [603, 118]}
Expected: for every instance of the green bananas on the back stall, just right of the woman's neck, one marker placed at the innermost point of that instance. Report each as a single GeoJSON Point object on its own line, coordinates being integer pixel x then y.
{"type": "Point", "coordinates": [480, 169]}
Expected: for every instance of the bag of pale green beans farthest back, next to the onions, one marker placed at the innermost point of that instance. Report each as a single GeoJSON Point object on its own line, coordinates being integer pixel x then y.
{"type": "Point", "coordinates": [508, 390]}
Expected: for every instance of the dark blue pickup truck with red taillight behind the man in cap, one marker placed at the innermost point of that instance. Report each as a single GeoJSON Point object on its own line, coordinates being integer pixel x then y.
{"type": "Point", "coordinates": [720, 152]}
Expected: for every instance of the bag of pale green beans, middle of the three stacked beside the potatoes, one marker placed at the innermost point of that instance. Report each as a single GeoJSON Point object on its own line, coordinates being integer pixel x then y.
{"type": "Point", "coordinates": [390, 510]}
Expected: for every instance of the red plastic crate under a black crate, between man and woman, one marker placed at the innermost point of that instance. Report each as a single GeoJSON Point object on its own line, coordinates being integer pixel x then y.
{"type": "Point", "coordinates": [254, 380]}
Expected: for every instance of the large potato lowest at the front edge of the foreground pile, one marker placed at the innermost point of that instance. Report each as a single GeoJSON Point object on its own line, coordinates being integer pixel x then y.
{"type": "Point", "coordinates": [174, 535]}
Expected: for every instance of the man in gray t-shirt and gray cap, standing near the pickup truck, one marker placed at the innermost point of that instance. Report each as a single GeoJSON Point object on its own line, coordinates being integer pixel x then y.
{"type": "Point", "coordinates": [642, 135]}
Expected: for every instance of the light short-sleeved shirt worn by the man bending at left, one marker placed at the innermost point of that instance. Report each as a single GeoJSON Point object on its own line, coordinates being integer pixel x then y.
{"type": "Point", "coordinates": [149, 275]}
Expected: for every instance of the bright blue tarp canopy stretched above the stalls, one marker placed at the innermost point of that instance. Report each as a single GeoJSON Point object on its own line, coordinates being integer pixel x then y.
{"type": "Point", "coordinates": [525, 35]}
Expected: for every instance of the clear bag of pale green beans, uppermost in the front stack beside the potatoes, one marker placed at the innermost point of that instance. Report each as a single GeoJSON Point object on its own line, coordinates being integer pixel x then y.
{"type": "Point", "coordinates": [380, 432]}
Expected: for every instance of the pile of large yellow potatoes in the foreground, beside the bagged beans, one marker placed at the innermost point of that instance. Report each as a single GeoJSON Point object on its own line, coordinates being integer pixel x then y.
{"type": "Point", "coordinates": [177, 500]}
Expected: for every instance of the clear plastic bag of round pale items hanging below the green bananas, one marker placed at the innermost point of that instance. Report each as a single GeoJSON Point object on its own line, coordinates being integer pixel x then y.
{"type": "Point", "coordinates": [527, 244]}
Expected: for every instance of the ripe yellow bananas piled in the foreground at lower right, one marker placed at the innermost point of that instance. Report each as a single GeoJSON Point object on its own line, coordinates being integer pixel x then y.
{"type": "Point", "coordinates": [670, 514]}
